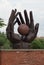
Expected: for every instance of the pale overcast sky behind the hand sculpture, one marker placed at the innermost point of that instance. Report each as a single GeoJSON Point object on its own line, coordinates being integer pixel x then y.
{"type": "Point", "coordinates": [36, 6]}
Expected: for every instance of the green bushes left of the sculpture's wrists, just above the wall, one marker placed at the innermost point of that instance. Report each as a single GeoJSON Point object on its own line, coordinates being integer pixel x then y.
{"type": "Point", "coordinates": [4, 42]}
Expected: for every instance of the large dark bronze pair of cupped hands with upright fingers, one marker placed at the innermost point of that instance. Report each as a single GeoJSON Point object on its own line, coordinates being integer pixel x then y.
{"type": "Point", "coordinates": [23, 40]}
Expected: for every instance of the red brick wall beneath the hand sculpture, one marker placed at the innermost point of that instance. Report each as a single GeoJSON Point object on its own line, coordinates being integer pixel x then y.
{"type": "Point", "coordinates": [22, 57]}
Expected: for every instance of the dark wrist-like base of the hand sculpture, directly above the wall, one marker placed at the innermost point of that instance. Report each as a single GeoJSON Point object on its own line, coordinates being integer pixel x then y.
{"type": "Point", "coordinates": [22, 45]}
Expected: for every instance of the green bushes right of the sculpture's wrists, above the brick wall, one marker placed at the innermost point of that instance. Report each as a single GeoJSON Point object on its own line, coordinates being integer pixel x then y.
{"type": "Point", "coordinates": [38, 44]}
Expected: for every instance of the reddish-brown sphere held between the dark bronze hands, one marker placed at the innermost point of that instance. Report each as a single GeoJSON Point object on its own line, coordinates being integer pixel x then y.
{"type": "Point", "coordinates": [23, 29]}
